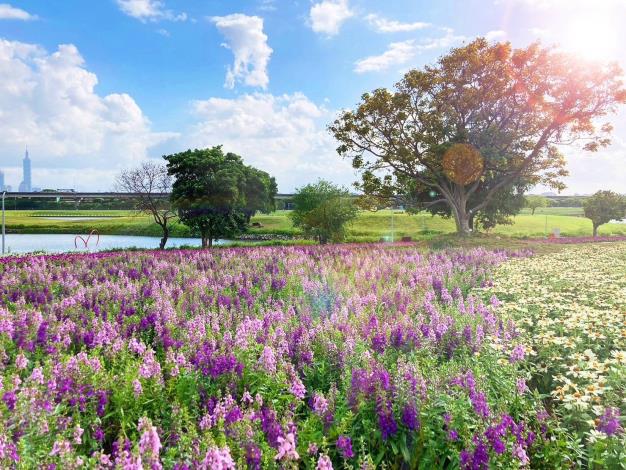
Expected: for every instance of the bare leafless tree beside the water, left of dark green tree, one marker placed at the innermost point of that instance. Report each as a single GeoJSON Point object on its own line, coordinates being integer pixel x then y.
{"type": "Point", "coordinates": [150, 182]}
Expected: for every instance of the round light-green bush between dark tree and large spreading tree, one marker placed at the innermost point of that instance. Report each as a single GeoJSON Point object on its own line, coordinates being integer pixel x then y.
{"type": "Point", "coordinates": [322, 211]}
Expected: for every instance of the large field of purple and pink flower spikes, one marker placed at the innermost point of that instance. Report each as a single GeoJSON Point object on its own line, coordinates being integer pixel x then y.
{"type": "Point", "coordinates": [304, 357]}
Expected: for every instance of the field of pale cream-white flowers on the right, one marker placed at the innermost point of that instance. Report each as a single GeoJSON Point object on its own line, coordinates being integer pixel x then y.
{"type": "Point", "coordinates": [570, 308]}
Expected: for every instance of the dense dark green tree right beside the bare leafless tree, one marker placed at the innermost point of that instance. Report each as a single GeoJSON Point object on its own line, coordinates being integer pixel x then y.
{"type": "Point", "coordinates": [216, 193]}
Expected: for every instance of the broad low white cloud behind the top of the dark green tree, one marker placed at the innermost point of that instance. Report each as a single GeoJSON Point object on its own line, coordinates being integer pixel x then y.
{"type": "Point", "coordinates": [284, 135]}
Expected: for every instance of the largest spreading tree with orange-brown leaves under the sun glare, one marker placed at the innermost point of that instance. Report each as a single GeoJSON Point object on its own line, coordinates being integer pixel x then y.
{"type": "Point", "coordinates": [483, 119]}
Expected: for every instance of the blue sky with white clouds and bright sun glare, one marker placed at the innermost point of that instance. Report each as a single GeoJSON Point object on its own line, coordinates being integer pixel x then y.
{"type": "Point", "coordinates": [94, 87]}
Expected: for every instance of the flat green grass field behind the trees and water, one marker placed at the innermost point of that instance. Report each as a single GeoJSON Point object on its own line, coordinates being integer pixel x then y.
{"type": "Point", "coordinates": [369, 226]}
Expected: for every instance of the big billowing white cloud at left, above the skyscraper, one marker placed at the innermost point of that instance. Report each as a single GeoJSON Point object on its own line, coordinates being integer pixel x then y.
{"type": "Point", "coordinates": [48, 102]}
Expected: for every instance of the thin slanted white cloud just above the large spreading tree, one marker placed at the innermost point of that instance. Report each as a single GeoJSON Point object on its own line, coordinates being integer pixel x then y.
{"type": "Point", "coordinates": [399, 53]}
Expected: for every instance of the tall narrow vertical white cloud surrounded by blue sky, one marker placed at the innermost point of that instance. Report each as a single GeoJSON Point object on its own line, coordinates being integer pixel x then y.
{"type": "Point", "coordinates": [244, 36]}
